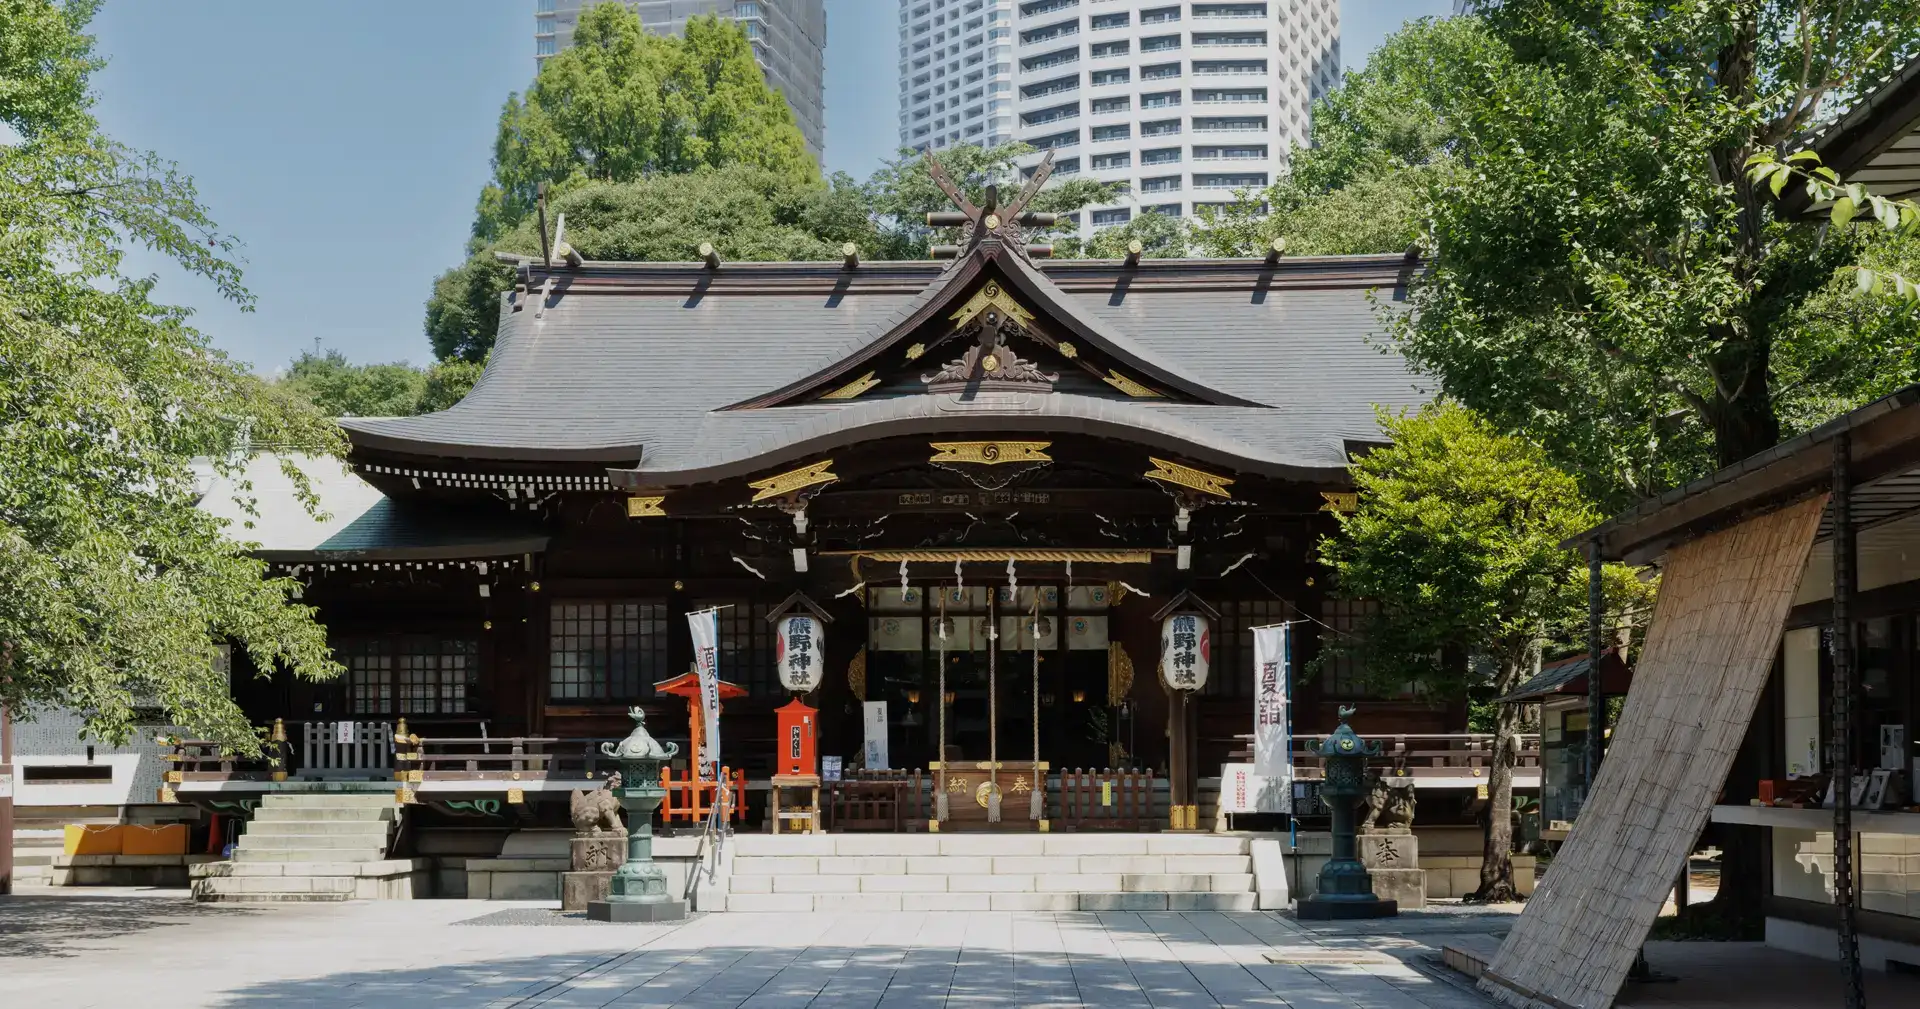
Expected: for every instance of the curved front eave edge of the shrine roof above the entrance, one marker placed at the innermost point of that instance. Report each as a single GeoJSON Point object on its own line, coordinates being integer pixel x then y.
{"type": "Point", "coordinates": [942, 415]}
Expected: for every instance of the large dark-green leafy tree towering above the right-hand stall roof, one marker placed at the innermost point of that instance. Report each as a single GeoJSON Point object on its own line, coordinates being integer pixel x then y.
{"type": "Point", "coordinates": [1606, 275]}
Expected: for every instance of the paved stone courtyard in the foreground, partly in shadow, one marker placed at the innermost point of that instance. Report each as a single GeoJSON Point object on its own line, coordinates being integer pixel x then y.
{"type": "Point", "coordinates": [158, 950]}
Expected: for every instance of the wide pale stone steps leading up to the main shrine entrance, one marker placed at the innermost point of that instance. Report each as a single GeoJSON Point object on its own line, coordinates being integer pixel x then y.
{"type": "Point", "coordinates": [992, 874]}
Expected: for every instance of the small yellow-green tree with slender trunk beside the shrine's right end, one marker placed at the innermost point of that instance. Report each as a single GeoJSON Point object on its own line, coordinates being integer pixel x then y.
{"type": "Point", "coordinates": [1458, 542]}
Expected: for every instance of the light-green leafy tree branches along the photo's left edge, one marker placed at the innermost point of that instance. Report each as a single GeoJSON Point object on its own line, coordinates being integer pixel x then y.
{"type": "Point", "coordinates": [112, 584]}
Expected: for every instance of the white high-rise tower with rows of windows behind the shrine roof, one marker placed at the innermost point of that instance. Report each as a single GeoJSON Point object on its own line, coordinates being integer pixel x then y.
{"type": "Point", "coordinates": [1184, 103]}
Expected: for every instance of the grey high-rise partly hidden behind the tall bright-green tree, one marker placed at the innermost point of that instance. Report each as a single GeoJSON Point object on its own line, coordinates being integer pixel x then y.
{"type": "Point", "coordinates": [790, 39]}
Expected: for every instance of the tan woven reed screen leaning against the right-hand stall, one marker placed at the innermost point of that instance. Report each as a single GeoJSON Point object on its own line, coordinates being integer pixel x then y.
{"type": "Point", "coordinates": [1714, 638]}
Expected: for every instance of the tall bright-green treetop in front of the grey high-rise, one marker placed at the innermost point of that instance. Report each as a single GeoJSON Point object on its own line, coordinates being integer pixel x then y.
{"type": "Point", "coordinates": [623, 105]}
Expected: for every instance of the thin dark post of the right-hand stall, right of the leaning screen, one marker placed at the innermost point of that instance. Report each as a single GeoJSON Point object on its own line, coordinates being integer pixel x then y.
{"type": "Point", "coordinates": [1842, 726]}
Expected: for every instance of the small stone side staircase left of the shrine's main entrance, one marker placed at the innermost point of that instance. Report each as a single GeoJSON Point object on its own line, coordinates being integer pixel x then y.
{"type": "Point", "coordinates": [318, 847]}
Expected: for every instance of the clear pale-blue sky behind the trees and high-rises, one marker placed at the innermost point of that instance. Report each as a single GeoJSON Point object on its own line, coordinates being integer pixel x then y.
{"type": "Point", "coordinates": [345, 143]}
